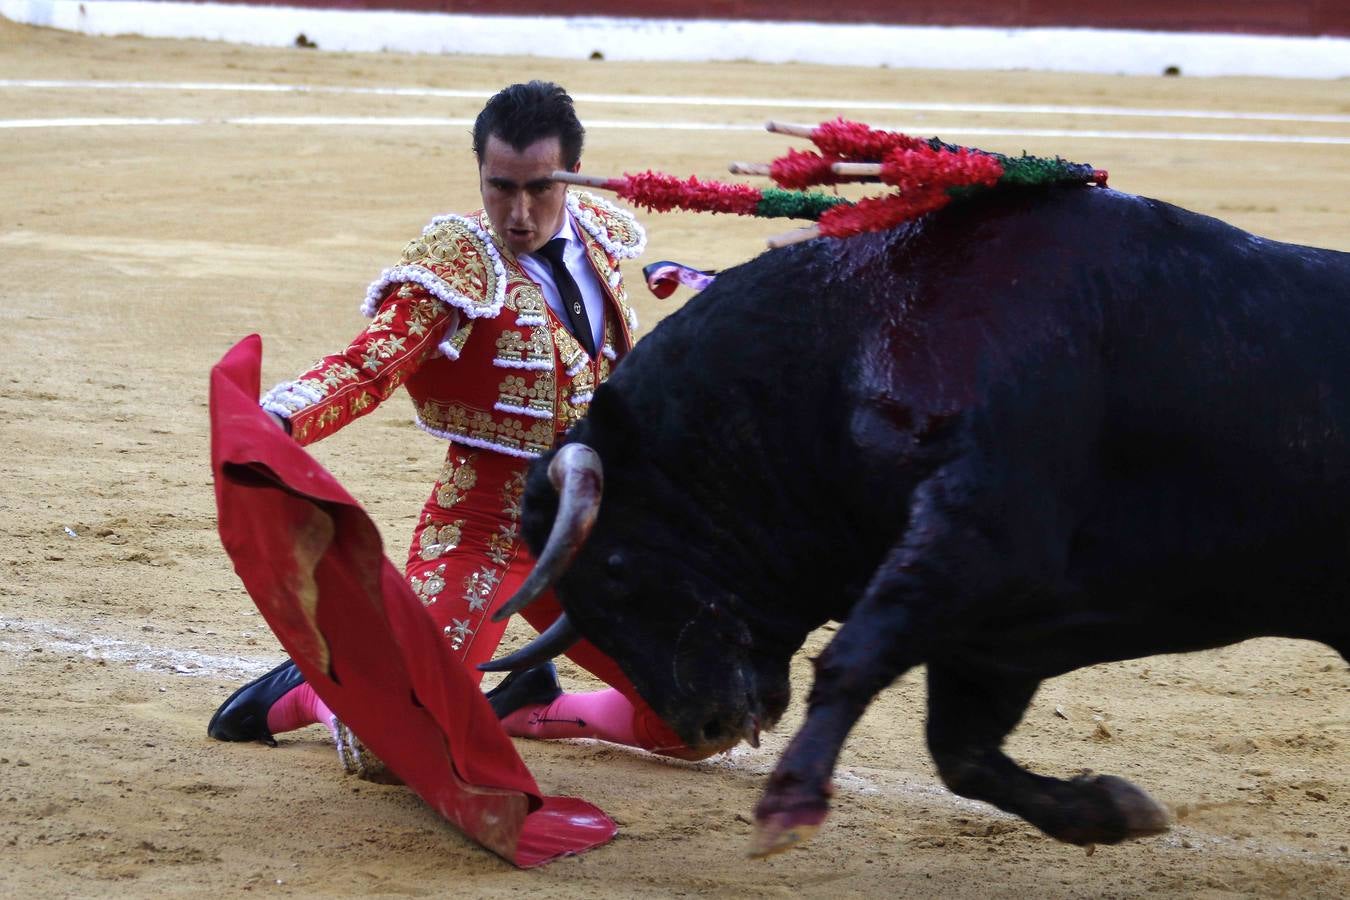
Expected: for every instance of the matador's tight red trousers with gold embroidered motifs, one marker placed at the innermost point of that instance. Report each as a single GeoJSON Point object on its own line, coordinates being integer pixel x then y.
{"type": "Point", "coordinates": [468, 559]}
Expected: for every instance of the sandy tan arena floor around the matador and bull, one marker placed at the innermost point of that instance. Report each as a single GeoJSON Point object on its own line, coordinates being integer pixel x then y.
{"type": "Point", "coordinates": [133, 257]}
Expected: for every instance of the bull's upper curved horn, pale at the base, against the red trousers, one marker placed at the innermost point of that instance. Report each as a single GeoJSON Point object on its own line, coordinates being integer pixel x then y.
{"type": "Point", "coordinates": [580, 481]}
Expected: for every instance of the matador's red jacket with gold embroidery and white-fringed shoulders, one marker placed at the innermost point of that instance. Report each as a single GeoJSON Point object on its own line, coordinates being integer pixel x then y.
{"type": "Point", "coordinates": [511, 378]}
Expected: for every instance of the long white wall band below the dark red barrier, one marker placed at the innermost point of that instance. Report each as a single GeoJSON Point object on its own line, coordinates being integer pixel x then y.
{"type": "Point", "coordinates": [658, 40]}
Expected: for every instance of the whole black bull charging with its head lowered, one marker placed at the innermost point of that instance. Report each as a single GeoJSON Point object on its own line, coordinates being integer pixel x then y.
{"type": "Point", "coordinates": [1021, 437]}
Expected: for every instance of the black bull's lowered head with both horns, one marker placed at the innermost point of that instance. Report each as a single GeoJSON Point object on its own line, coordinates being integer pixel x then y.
{"type": "Point", "coordinates": [647, 592]}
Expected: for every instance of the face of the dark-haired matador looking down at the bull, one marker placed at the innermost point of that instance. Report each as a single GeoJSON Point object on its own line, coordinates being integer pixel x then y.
{"type": "Point", "coordinates": [523, 202]}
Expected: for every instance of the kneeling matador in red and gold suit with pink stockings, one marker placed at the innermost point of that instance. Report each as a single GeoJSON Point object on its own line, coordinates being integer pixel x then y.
{"type": "Point", "coordinates": [500, 326]}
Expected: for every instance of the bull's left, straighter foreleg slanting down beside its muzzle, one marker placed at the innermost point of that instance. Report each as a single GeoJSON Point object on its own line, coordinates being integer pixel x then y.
{"type": "Point", "coordinates": [871, 651]}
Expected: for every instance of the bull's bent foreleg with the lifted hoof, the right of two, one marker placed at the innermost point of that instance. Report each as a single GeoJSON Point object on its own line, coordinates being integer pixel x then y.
{"type": "Point", "coordinates": [970, 717]}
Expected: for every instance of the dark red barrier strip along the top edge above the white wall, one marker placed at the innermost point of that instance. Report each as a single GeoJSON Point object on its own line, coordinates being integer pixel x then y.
{"type": "Point", "coordinates": [1241, 17]}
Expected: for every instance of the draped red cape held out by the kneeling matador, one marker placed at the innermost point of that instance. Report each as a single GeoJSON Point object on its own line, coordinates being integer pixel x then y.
{"type": "Point", "coordinates": [314, 563]}
